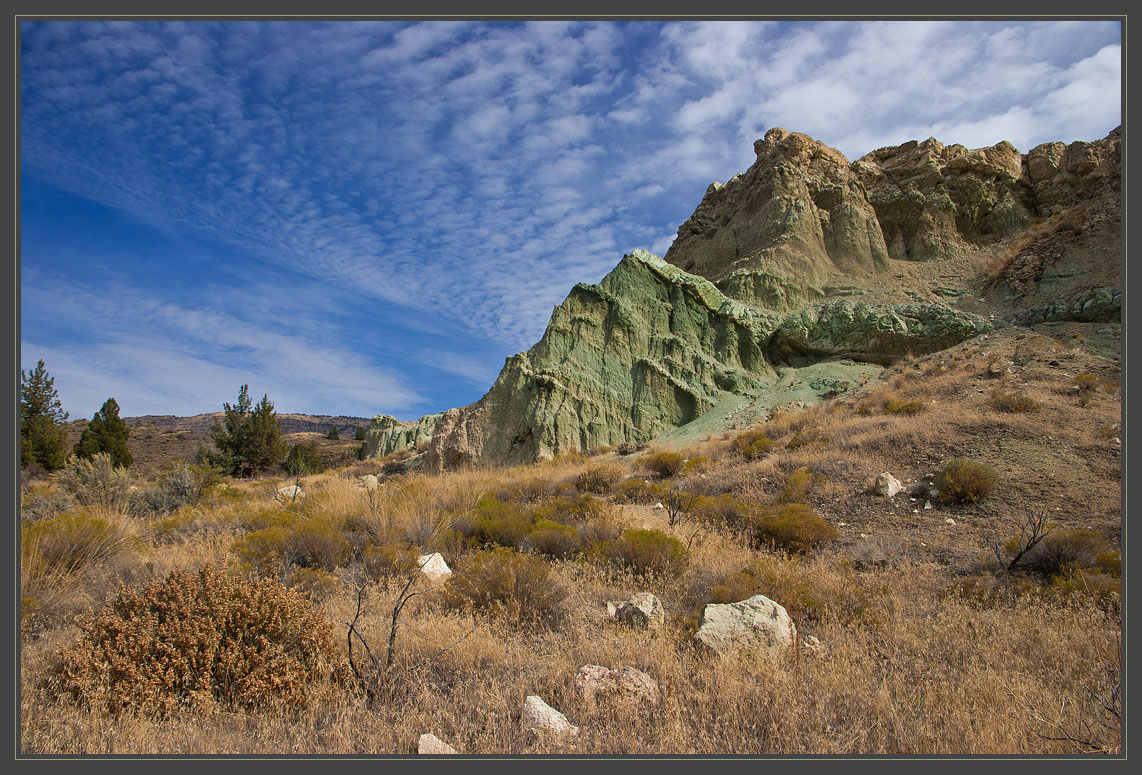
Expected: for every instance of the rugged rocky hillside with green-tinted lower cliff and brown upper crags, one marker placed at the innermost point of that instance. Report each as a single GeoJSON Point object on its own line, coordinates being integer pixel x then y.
{"type": "Point", "coordinates": [799, 279]}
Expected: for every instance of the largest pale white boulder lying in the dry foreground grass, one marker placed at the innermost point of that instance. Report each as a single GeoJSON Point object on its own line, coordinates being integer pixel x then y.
{"type": "Point", "coordinates": [758, 624]}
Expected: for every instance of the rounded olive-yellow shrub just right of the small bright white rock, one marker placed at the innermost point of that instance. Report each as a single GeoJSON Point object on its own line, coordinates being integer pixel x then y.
{"type": "Point", "coordinates": [508, 585]}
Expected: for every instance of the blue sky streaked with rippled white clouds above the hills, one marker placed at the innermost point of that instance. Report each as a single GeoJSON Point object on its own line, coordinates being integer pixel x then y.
{"type": "Point", "coordinates": [368, 217]}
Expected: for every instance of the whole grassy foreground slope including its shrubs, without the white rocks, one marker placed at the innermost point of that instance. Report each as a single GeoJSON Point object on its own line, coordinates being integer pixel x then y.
{"type": "Point", "coordinates": [929, 642]}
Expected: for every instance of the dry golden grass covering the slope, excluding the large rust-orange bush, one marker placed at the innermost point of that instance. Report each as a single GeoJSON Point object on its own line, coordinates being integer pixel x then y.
{"type": "Point", "coordinates": [915, 660]}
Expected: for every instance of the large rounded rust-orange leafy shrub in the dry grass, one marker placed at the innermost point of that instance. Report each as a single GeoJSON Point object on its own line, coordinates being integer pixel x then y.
{"type": "Point", "coordinates": [204, 642]}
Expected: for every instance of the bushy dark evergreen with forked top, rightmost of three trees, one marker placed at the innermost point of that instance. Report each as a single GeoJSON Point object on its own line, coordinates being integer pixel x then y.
{"type": "Point", "coordinates": [252, 440]}
